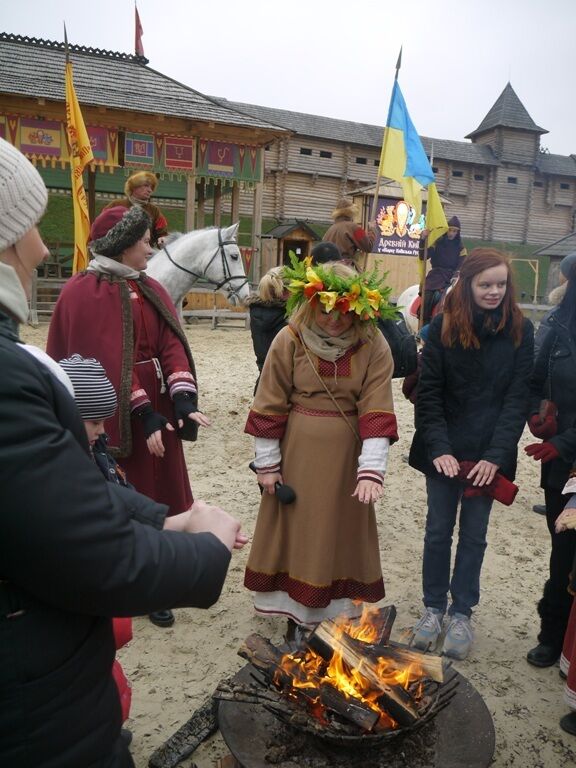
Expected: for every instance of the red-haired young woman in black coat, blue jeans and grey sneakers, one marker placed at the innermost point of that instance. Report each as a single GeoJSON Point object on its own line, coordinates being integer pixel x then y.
{"type": "Point", "coordinates": [470, 412]}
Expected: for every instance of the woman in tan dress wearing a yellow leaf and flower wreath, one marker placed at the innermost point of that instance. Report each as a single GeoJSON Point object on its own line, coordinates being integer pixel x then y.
{"type": "Point", "coordinates": [323, 421]}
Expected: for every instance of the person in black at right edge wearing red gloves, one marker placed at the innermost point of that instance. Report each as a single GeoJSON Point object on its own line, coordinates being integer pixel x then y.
{"type": "Point", "coordinates": [553, 420]}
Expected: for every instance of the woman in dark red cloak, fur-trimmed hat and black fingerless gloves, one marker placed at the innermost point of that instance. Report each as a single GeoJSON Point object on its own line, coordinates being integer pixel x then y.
{"type": "Point", "coordinates": [116, 314]}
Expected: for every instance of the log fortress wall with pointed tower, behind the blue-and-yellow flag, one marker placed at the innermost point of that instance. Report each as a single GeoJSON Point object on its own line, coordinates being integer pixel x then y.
{"type": "Point", "coordinates": [501, 184]}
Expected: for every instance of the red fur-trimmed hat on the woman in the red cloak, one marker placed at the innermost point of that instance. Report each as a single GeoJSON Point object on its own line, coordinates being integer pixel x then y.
{"type": "Point", "coordinates": [117, 228]}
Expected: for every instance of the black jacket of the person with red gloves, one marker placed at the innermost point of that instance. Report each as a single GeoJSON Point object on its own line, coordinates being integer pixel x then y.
{"type": "Point", "coordinates": [554, 379]}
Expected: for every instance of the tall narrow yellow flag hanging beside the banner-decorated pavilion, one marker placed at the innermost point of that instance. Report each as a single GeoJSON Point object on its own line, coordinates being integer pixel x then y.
{"type": "Point", "coordinates": [80, 156]}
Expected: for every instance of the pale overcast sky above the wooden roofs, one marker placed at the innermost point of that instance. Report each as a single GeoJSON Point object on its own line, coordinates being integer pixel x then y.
{"type": "Point", "coordinates": [309, 56]}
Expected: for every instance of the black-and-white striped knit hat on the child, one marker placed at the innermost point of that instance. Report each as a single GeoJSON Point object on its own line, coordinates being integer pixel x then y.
{"type": "Point", "coordinates": [94, 394]}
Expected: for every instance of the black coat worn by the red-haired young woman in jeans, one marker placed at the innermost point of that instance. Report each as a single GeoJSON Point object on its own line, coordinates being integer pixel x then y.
{"type": "Point", "coordinates": [472, 403]}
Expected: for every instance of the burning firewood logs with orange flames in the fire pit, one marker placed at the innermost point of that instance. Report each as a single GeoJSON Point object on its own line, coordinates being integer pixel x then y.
{"type": "Point", "coordinates": [345, 675]}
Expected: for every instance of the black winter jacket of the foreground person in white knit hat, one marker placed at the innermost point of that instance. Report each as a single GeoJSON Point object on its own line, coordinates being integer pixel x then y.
{"type": "Point", "coordinates": [71, 557]}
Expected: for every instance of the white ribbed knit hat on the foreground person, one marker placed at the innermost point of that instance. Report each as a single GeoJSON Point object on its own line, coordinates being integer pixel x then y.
{"type": "Point", "coordinates": [23, 195]}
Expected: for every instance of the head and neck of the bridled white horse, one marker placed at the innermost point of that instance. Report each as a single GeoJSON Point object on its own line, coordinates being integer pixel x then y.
{"type": "Point", "coordinates": [211, 255]}
